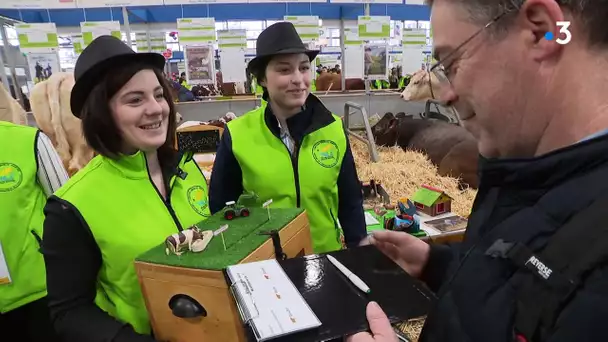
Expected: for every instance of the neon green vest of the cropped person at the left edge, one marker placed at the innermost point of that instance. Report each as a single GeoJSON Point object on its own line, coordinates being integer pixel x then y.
{"type": "Point", "coordinates": [22, 201]}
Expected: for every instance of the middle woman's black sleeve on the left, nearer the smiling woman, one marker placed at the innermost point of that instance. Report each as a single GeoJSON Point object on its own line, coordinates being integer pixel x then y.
{"type": "Point", "coordinates": [226, 177]}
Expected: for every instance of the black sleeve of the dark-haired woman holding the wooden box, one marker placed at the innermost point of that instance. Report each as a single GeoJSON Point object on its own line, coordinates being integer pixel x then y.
{"type": "Point", "coordinates": [73, 260]}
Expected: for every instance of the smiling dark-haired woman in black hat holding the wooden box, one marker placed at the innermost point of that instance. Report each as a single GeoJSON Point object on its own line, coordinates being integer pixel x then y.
{"type": "Point", "coordinates": [128, 199]}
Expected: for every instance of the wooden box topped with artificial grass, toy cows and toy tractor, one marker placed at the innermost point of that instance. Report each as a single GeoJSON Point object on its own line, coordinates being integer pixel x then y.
{"type": "Point", "coordinates": [186, 270]}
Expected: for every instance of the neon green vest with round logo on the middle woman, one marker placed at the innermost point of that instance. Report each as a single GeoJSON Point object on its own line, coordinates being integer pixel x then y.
{"type": "Point", "coordinates": [267, 171]}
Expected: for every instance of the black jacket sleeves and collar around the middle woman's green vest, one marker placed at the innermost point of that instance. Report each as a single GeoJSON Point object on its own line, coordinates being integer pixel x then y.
{"type": "Point", "coordinates": [227, 181]}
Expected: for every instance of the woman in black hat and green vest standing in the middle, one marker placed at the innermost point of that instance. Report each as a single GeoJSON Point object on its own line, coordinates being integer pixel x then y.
{"type": "Point", "coordinates": [292, 149]}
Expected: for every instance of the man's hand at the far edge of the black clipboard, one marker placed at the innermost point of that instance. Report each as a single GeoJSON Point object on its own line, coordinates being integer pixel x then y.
{"type": "Point", "coordinates": [407, 251]}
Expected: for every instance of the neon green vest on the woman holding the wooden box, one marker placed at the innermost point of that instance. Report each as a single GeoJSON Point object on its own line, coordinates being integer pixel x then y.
{"type": "Point", "coordinates": [128, 217]}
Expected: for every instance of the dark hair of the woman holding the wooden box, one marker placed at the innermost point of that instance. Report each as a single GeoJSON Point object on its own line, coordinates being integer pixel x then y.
{"type": "Point", "coordinates": [98, 124]}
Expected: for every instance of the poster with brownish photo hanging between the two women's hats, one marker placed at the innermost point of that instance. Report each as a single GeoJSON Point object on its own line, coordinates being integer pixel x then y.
{"type": "Point", "coordinates": [200, 64]}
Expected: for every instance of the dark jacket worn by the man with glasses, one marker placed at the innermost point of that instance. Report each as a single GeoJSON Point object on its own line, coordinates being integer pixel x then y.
{"type": "Point", "coordinates": [522, 201]}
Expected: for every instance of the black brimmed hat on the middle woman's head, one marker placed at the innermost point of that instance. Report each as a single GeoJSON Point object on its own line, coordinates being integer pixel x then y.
{"type": "Point", "coordinates": [279, 39]}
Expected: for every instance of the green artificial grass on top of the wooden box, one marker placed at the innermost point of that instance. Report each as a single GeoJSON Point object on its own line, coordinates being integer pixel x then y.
{"type": "Point", "coordinates": [241, 238]}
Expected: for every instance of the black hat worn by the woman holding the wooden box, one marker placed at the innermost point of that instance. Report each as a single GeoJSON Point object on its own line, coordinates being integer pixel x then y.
{"type": "Point", "coordinates": [98, 58]}
